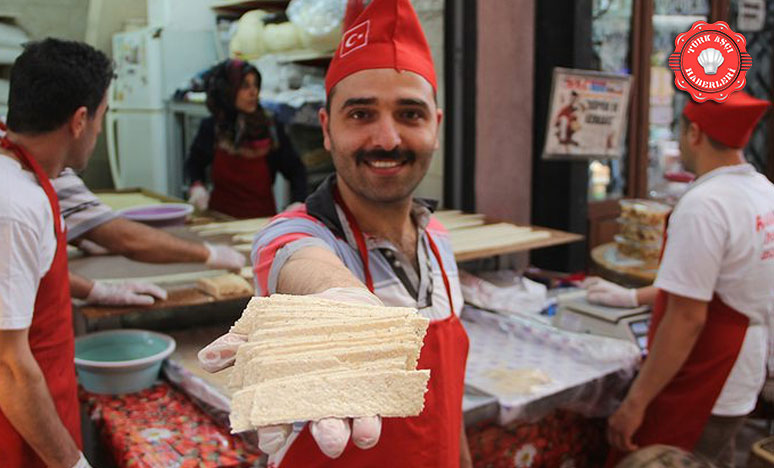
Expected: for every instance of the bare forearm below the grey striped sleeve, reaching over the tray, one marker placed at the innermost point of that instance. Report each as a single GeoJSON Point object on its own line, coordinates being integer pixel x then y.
{"type": "Point", "coordinates": [146, 244]}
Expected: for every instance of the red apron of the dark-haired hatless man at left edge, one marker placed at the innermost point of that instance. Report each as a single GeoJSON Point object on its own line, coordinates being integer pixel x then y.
{"type": "Point", "coordinates": [50, 336]}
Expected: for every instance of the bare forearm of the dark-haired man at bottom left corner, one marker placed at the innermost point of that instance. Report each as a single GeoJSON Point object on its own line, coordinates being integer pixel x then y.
{"type": "Point", "coordinates": [26, 402]}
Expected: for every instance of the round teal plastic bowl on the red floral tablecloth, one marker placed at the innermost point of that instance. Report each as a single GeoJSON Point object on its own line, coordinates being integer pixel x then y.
{"type": "Point", "coordinates": [120, 361]}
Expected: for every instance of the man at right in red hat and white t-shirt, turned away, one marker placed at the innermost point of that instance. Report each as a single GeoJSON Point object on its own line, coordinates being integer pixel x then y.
{"type": "Point", "coordinates": [713, 296]}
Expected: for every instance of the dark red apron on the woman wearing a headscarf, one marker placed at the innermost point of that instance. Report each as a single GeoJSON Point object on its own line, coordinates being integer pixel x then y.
{"type": "Point", "coordinates": [242, 186]}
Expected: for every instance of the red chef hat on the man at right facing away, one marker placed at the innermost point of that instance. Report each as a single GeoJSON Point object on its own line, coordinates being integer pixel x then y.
{"type": "Point", "coordinates": [730, 122]}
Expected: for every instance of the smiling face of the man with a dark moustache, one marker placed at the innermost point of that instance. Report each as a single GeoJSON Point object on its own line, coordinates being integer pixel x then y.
{"type": "Point", "coordinates": [382, 130]}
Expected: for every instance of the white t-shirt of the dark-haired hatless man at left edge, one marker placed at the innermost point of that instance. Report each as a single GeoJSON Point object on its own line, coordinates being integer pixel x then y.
{"type": "Point", "coordinates": [27, 243]}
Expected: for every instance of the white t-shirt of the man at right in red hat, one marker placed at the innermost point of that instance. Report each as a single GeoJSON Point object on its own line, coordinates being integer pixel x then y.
{"type": "Point", "coordinates": [720, 243]}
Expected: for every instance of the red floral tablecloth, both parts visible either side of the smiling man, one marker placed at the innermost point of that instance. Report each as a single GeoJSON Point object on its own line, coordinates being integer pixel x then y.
{"type": "Point", "coordinates": [161, 427]}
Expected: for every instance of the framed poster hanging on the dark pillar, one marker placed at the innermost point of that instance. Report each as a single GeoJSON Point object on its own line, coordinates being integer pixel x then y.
{"type": "Point", "coordinates": [588, 113]}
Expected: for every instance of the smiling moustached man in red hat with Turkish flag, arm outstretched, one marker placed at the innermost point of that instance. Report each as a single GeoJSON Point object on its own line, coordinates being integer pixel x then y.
{"type": "Point", "coordinates": [361, 237]}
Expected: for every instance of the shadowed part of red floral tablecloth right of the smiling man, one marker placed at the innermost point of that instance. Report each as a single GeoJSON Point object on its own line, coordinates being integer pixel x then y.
{"type": "Point", "coordinates": [559, 440]}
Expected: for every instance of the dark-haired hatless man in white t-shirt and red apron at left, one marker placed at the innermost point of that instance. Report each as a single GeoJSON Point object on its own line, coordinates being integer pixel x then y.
{"type": "Point", "coordinates": [57, 101]}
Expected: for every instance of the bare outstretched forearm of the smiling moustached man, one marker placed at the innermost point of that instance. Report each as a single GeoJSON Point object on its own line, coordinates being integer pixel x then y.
{"type": "Point", "coordinates": [313, 270]}
